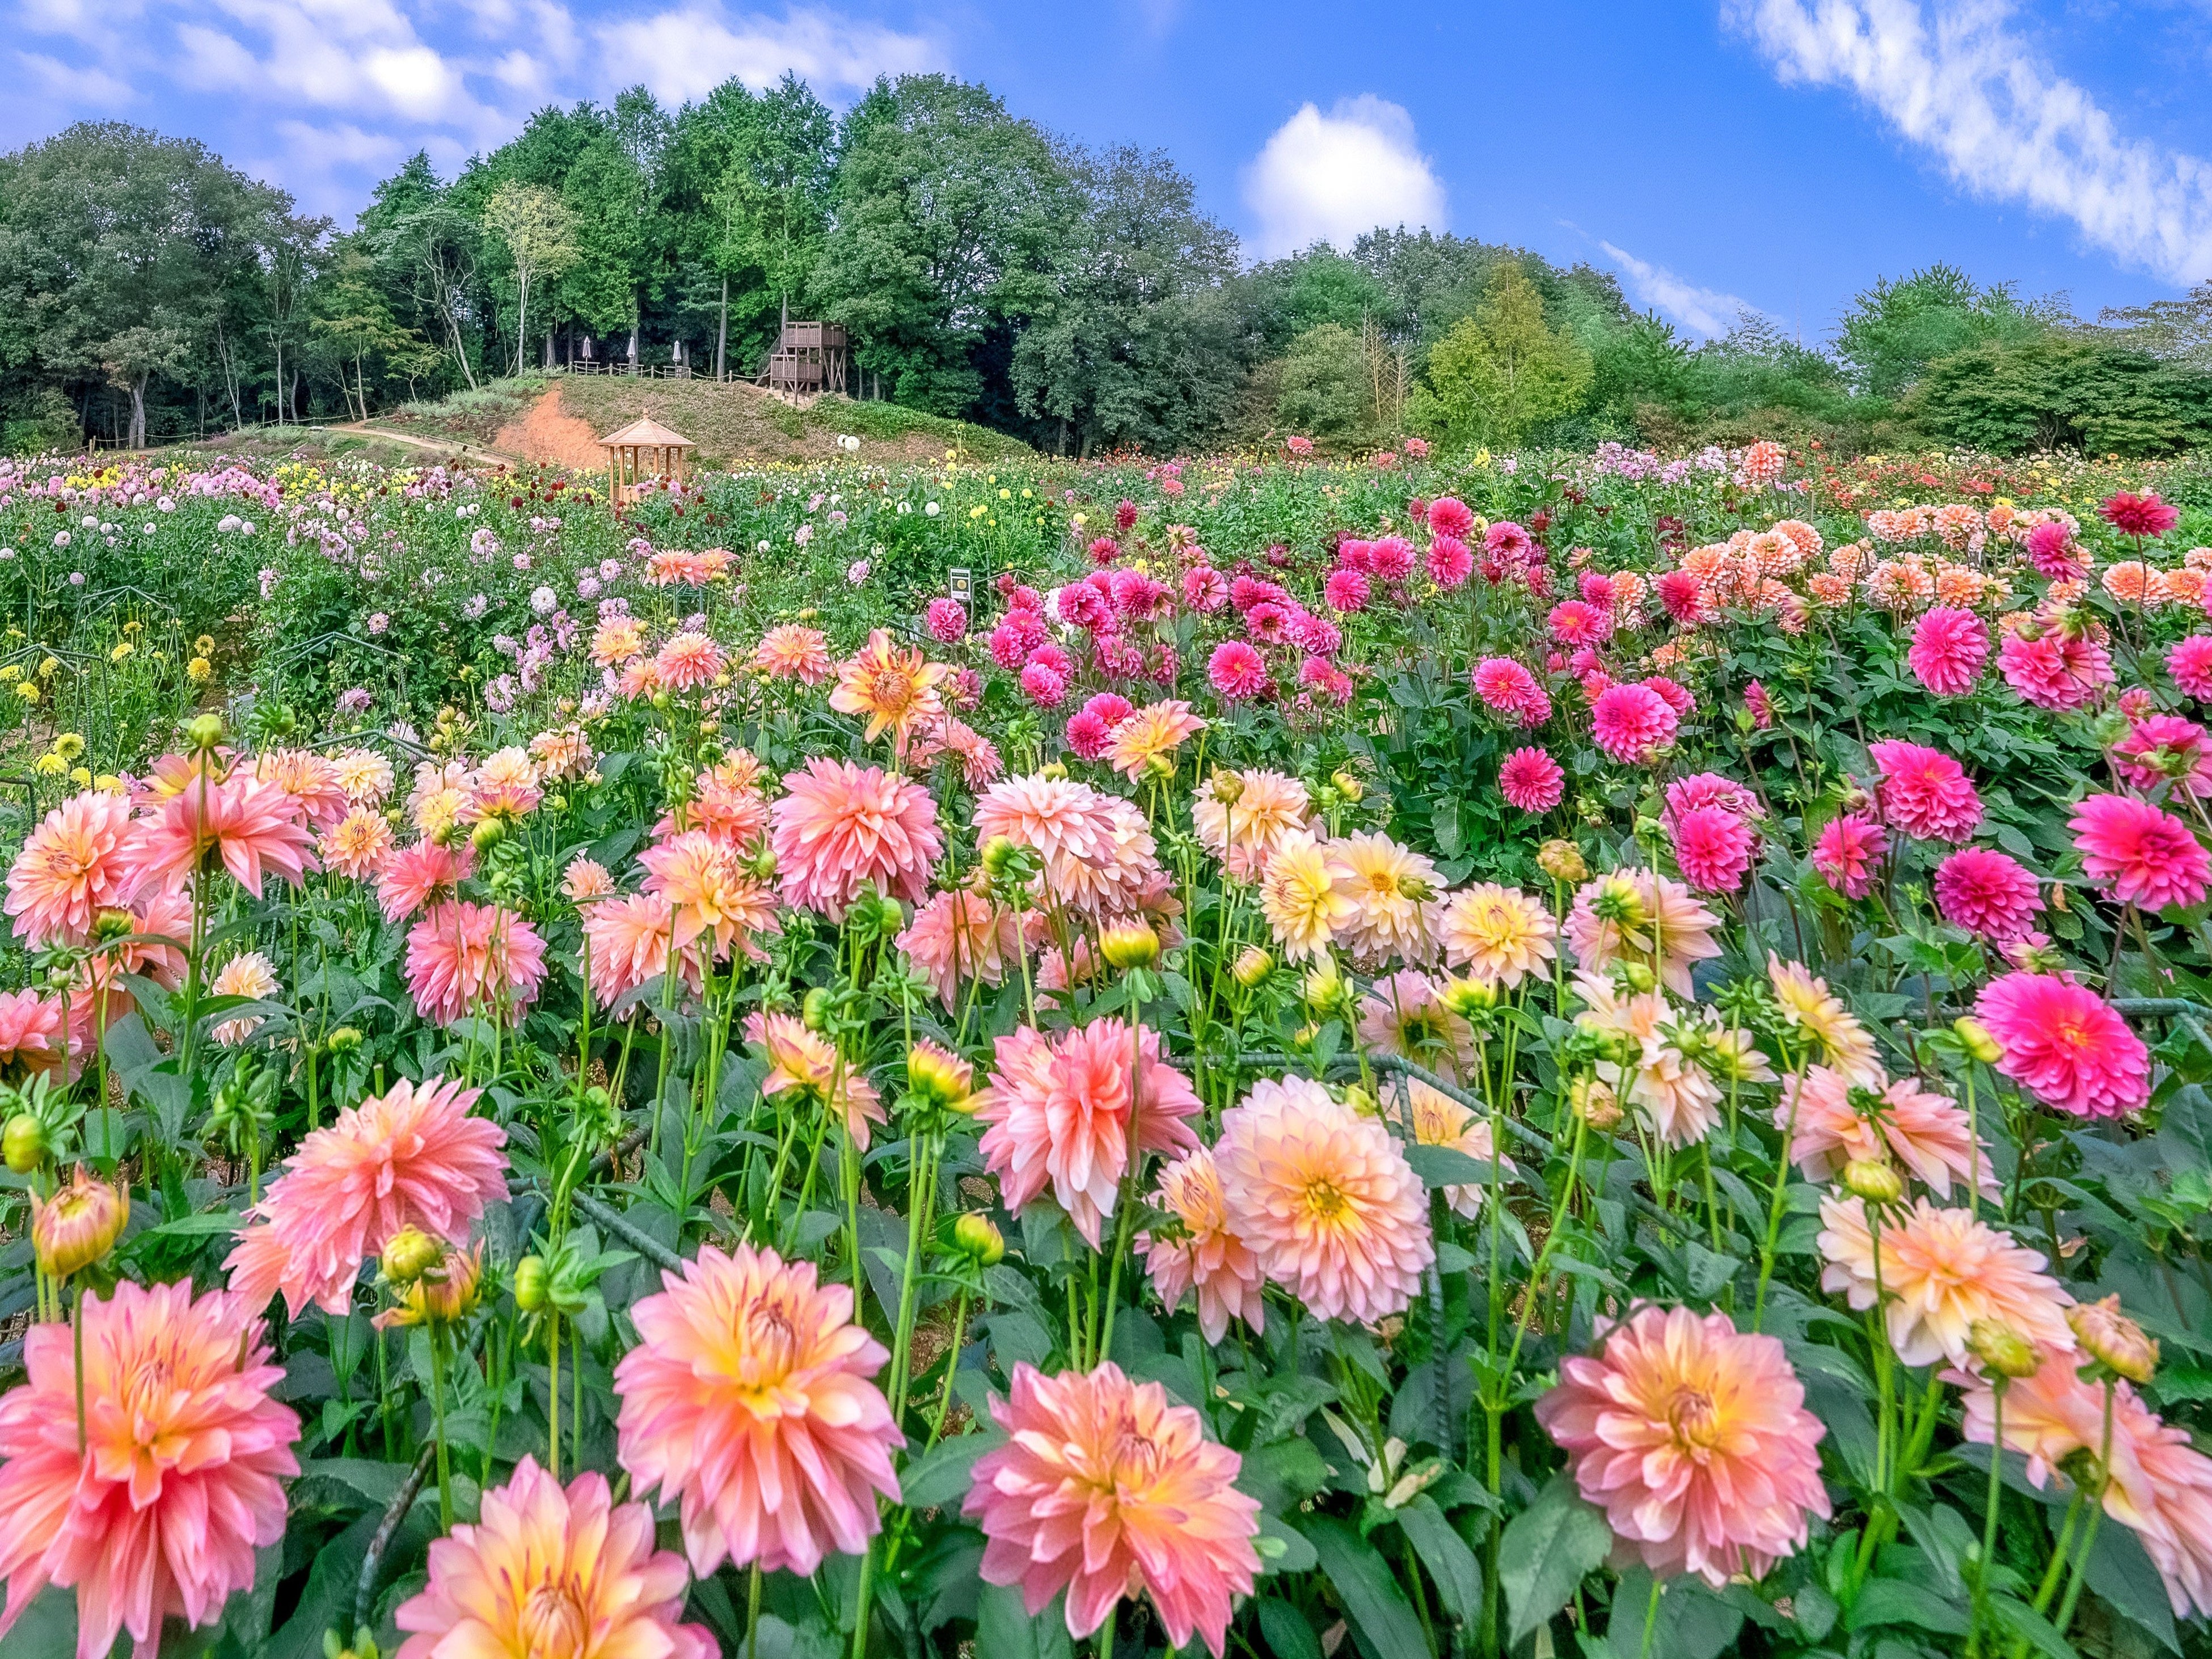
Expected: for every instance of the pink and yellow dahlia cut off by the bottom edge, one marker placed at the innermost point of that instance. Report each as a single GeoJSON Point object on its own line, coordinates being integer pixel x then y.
{"type": "Point", "coordinates": [556, 1574]}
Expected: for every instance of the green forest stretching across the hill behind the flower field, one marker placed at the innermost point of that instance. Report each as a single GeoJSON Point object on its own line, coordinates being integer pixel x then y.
{"type": "Point", "coordinates": [985, 269]}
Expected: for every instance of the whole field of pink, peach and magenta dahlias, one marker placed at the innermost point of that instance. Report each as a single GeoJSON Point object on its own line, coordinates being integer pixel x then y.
{"type": "Point", "coordinates": [1516, 1056]}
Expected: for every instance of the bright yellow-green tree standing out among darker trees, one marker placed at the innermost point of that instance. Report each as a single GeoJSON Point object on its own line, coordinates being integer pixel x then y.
{"type": "Point", "coordinates": [1503, 368]}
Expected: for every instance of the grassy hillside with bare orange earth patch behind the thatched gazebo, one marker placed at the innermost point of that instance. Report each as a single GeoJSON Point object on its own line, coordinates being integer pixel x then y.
{"type": "Point", "coordinates": [561, 417]}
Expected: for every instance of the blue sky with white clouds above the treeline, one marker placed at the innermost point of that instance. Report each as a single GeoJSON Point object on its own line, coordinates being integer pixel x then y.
{"type": "Point", "coordinates": [1715, 154]}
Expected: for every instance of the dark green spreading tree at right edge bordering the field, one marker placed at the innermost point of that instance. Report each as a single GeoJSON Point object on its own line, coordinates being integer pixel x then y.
{"type": "Point", "coordinates": [2063, 393]}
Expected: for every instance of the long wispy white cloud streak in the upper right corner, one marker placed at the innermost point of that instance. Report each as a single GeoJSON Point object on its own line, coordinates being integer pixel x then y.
{"type": "Point", "coordinates": [1957, 81]}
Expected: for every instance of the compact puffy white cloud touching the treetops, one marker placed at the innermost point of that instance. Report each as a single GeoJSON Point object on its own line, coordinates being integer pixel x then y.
{"type": "Point", "coordinates": [1333, 178]}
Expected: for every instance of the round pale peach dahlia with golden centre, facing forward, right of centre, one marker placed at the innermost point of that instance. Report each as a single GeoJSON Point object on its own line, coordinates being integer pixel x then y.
{"type": "Point", "coordinates": [1326, 1200]}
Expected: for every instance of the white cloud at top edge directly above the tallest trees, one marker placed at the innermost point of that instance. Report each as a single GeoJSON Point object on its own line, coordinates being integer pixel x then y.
{"type": "Point", "coordinates": [689, 52]}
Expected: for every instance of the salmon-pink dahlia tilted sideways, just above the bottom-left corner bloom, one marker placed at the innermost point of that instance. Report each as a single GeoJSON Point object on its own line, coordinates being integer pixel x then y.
{"type": "Point", "coordinates": [410, 1158]}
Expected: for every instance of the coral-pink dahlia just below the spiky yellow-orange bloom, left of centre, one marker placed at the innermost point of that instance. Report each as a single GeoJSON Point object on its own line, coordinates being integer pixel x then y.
{"type": "Point", "coordinates": [842, 831]}
